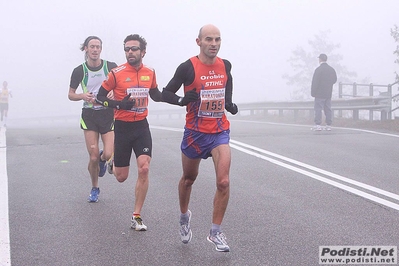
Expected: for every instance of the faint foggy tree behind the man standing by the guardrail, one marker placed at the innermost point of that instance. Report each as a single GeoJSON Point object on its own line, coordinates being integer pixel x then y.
{"type": "Point", "coordinates": [304, 63]}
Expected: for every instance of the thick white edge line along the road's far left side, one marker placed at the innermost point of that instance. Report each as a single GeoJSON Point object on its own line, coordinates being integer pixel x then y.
{"type": "Point", "coordinates": [5, 258]}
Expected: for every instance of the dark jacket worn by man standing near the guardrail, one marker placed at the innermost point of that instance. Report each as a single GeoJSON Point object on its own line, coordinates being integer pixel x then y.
{"type": "Point", "coordinates": [323, 80]}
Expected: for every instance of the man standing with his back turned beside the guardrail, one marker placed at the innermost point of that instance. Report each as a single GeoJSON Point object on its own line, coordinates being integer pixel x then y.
{"type": "Point", "coordinates": [323, 80]}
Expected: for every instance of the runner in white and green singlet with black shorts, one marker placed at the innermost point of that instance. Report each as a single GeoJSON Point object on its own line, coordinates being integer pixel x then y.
{"type": "Point", "coordinates": [96, 119]}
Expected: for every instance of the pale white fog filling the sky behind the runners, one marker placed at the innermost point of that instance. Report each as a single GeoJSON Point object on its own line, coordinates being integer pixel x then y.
{"type": "Point", "coordinates": [41, 40]}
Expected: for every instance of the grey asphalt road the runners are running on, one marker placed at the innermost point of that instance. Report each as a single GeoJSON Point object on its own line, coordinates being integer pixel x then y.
{"type": "Point", "coordinates": [292, 191]}
